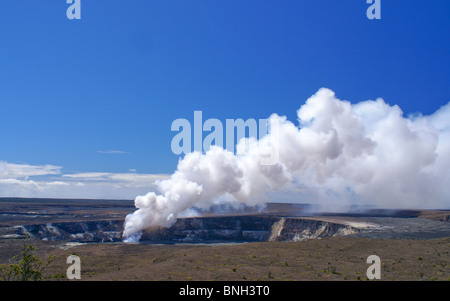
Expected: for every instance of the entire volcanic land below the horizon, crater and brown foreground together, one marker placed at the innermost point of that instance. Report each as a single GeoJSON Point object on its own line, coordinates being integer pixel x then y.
{"type": "Point", "coordinates": [280, 242]}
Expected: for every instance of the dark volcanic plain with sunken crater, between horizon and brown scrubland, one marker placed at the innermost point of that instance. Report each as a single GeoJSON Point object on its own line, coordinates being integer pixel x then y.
{"type": "Point", "coordinates": [102, 221]}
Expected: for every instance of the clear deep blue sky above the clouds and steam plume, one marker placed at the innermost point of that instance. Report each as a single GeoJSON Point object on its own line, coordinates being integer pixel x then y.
{"type": "Point", "coordinates": [72, 91]}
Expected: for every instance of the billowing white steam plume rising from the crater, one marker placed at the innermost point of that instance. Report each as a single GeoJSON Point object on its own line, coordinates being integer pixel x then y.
{"type": "Point", "coordinates": [340, 154]}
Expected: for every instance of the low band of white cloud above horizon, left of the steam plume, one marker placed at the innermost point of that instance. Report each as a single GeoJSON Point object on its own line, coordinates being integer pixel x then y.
{"type": "Point", "coordinates": [23, 180]}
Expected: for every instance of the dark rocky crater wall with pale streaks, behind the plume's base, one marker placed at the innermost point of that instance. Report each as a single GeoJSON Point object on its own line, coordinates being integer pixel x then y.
{"type": "Point", "coordinates": [193, 230]}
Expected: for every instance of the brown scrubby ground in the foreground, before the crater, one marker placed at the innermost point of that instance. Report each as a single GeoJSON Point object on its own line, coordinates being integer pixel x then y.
{"type": "Point", "coordinates": [269, 261]}
